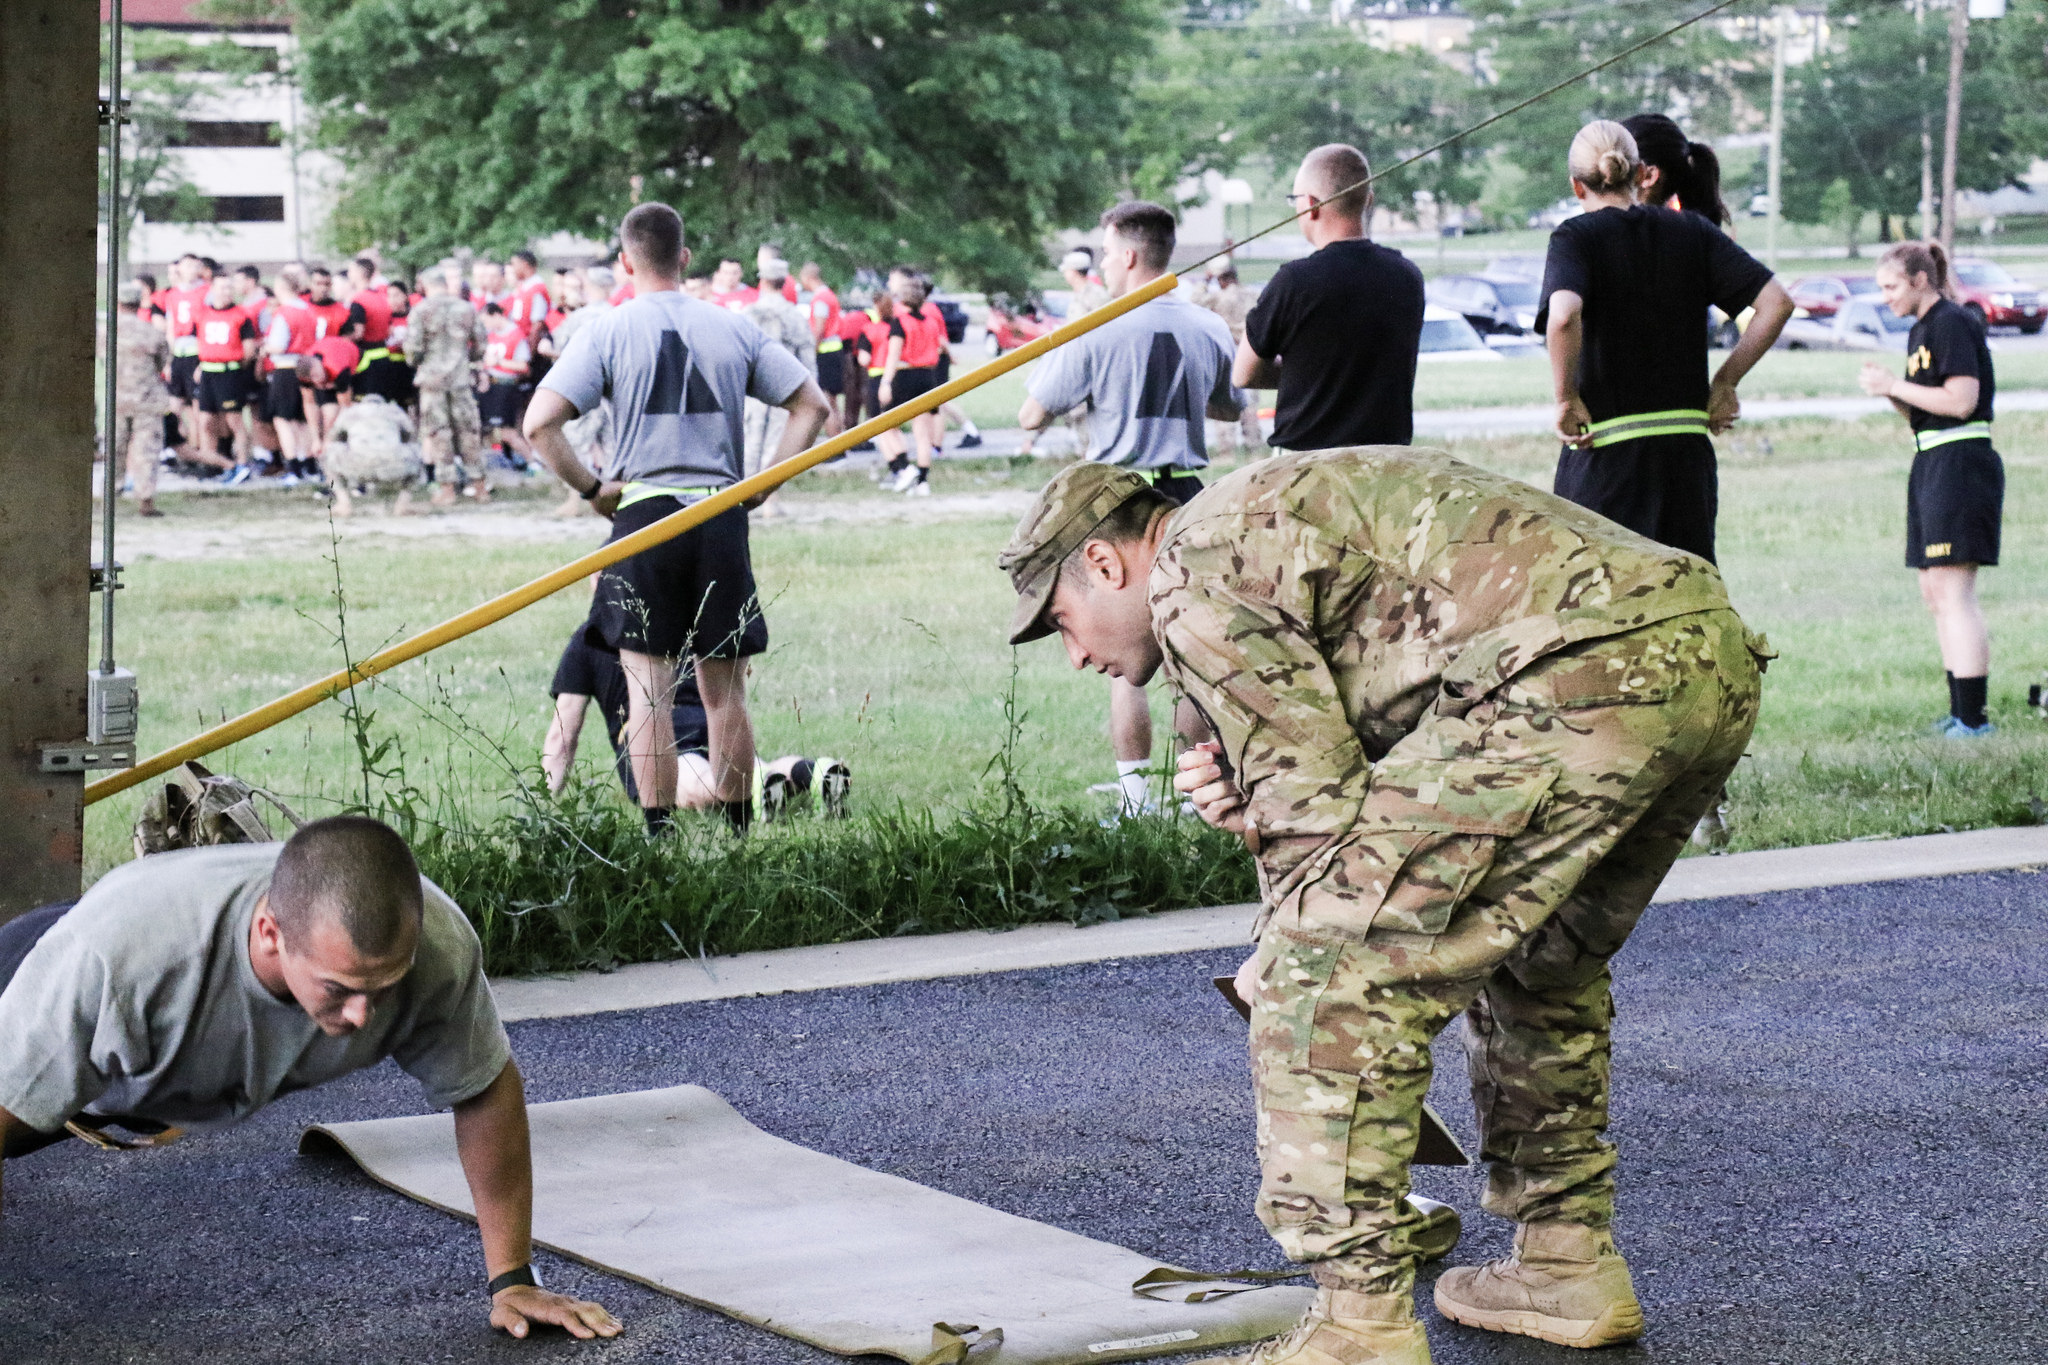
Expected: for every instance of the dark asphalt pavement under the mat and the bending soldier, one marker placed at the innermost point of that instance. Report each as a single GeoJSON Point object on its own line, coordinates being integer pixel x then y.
{"type": "Point", "coordinates": [1830, 1108]}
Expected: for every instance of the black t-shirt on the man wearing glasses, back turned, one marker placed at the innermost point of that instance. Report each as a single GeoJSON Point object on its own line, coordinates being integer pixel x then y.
{"type": "Point", "coordinates": [1347, 324]}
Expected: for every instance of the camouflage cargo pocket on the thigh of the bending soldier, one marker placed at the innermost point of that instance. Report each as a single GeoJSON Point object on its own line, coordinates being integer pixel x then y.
{"type": "Point", "coordinates": [1424, 840]}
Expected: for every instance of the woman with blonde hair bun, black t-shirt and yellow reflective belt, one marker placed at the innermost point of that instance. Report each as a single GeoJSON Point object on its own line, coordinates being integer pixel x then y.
{"type": "Point", "coordinates": [1623, 308]}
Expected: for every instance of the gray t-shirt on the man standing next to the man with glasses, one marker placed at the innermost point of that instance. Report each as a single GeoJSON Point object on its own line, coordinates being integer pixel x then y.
{"type": "Point", "coordinates": [1150, 378]}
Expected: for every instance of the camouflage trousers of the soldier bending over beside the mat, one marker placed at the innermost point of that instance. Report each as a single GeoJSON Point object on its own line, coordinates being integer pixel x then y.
{"type": "Point", "coordinates": [1523, 842]}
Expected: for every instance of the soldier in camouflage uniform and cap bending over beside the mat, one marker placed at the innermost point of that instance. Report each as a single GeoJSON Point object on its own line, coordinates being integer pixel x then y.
{"type": "Point", "coordinates": [1465, 728]}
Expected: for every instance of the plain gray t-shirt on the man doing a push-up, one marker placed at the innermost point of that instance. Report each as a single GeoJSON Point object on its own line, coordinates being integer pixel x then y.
{"type": "Point", "coordinates": [142, 1002]}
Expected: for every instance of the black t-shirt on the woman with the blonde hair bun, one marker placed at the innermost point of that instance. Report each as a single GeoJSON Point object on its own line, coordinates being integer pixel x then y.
{"type": "Point", "coordinates": [1648, 279]}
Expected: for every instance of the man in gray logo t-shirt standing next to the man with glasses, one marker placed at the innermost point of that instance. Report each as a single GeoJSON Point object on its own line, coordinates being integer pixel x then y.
{"type": "Point", "coordinates": [1152, 380]}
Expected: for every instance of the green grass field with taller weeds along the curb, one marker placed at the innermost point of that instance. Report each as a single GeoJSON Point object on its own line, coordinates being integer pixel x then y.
{"type": "Point", "coordinates": [888, 650]}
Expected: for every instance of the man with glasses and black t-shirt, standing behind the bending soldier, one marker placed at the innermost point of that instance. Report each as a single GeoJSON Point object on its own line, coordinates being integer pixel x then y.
{"type": "Point", "coordinates": [1336, 333]}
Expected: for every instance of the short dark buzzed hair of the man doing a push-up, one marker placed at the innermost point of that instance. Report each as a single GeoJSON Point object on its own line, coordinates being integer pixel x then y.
{"type": "Point", "coordinates": [349, 871]}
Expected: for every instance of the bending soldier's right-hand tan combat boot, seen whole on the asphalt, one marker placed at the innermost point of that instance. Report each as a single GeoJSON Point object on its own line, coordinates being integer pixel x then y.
{"type": "Point", "coordinates": [1566, 1284]}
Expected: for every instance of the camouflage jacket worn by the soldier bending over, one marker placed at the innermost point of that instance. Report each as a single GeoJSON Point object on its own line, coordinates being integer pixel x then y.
{"type": "Point", "coordinates": [1320, 607]}
